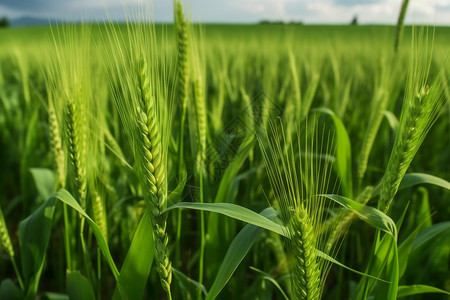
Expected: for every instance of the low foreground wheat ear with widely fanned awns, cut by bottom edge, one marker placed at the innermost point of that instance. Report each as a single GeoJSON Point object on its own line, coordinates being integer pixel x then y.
{"type": "Point", "coordinates": [299, 175]}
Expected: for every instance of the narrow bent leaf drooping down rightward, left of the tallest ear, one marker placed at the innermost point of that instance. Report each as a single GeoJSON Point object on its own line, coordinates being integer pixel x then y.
{"type": "Point", "coordinates": [67, 198]}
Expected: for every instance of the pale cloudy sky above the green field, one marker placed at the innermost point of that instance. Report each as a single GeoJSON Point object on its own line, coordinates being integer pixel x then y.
{"type": "Point", "coordinates": [434, 12]}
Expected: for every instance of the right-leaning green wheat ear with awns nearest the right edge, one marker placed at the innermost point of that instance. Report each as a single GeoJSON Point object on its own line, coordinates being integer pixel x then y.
{"type": "Point", "coordinates": [422, 105]}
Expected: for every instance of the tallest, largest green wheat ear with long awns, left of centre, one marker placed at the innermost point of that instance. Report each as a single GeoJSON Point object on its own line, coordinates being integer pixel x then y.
{"type": "Point", "coordinates": [141, 96]}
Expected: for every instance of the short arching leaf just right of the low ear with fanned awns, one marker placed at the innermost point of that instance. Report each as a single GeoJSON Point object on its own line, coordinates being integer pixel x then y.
{"type": "Point", "coordinates": [370, 215]}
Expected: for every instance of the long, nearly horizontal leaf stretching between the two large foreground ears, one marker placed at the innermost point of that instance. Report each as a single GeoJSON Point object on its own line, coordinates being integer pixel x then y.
{"type": "Point", "coordinates": [234, 211]}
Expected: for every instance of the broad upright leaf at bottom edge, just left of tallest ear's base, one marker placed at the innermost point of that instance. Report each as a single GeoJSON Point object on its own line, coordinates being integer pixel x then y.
{"type": "Point", "coordinates": [138, 263]}
